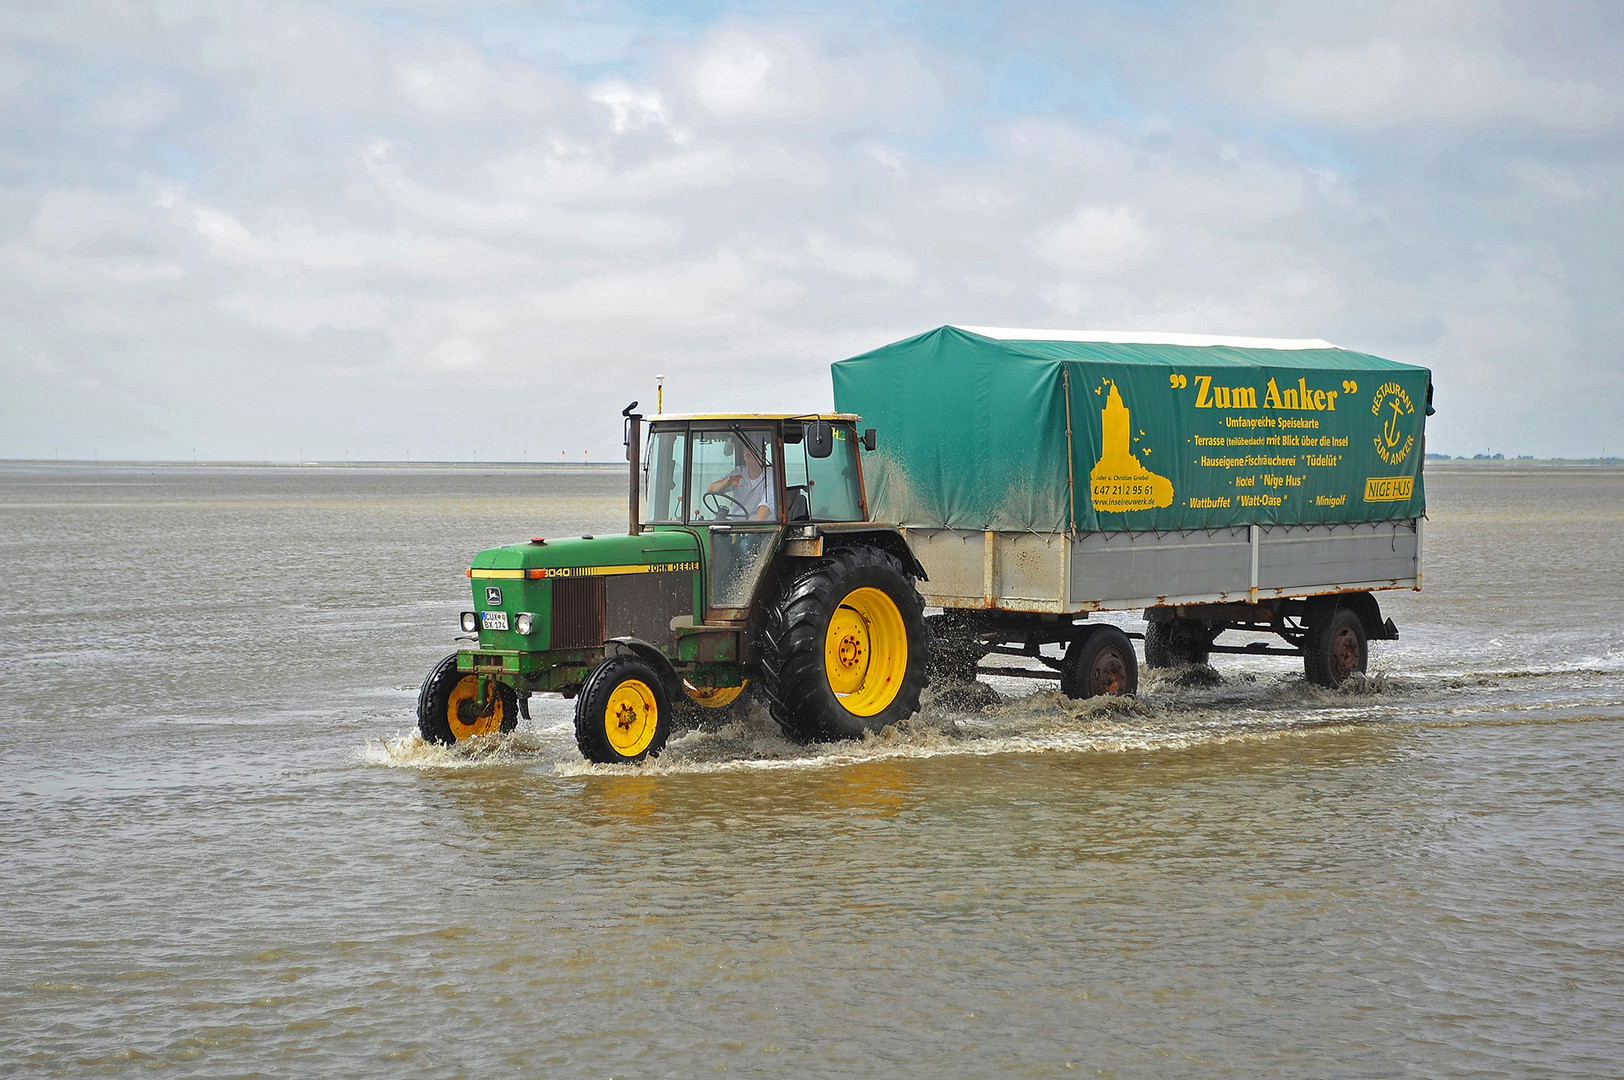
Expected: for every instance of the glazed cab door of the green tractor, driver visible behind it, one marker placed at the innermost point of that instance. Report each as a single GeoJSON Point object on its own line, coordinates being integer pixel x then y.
{"type": "Point", "coordinates": [736, 491]}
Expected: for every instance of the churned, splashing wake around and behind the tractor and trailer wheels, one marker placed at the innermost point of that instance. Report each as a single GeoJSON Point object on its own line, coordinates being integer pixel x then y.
{"type": "Point", "coordinates": [1177, 709]}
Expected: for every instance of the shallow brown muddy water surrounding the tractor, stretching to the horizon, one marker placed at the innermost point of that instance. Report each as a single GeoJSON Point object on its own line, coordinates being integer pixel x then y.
{"type": "Point", "coordinates": [225, 853]}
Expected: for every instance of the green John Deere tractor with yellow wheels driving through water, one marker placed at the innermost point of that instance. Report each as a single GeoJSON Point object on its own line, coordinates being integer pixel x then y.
{"type": "Point", "coordinates": [749, 563]}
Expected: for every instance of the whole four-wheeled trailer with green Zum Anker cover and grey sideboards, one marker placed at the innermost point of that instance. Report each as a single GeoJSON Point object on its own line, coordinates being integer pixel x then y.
{"type": "Point", "coordinates": [1214, 483]}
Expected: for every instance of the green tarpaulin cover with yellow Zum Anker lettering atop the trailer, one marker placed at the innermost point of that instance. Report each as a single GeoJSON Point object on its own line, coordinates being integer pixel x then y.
{"type": "Point", "coordinates": [1055, 431]}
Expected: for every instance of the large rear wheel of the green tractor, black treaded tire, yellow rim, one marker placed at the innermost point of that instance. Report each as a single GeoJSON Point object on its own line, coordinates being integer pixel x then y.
{"type": "Point", "coordinates": [797, 646]}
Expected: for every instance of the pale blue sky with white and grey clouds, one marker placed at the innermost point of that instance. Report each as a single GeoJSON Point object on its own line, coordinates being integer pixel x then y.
{"type": "Point", "coordinates": [477, 231]}
